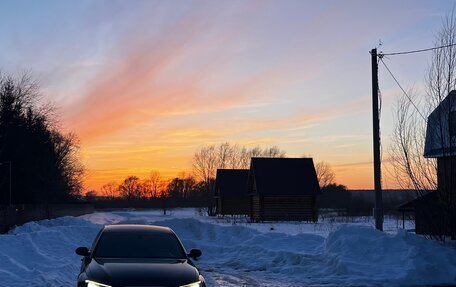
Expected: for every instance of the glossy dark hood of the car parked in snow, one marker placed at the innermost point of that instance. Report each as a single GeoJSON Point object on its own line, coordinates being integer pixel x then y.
{"type": "Point", "coordinates": [142, 272]}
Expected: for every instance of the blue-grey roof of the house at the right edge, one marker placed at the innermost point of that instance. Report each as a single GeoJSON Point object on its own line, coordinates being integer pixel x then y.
{"type": "Point", "coordinates": [441, 127]}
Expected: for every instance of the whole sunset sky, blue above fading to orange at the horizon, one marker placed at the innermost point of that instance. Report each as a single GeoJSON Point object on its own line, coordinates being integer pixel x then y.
{"type": "Point", "coordinates": [145, 83]}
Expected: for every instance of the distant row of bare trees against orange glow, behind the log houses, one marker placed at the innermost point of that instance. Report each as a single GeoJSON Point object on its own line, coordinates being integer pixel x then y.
{"type": "Point", "coordinates": [199, 182]}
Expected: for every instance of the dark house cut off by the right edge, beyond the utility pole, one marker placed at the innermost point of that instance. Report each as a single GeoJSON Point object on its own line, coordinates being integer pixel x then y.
{"type": "Point", "coordinates": [435, 212]}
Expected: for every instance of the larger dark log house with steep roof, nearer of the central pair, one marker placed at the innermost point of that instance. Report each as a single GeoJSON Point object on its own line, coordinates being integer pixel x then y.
{"type": "Point", "coordinates": [283, 189]}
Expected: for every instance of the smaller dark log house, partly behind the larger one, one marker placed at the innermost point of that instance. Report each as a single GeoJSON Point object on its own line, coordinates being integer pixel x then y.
{"type": "Point", "coordinates": [231, 192]}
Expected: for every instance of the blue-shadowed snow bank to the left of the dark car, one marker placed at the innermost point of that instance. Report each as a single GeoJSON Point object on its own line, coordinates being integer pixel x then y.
{"type": "Point", "coordinates": [42, 253]}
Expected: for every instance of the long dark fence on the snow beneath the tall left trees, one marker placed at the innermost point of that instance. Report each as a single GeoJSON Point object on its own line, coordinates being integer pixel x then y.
{"type": "Point", "coordinates": [19, 214]}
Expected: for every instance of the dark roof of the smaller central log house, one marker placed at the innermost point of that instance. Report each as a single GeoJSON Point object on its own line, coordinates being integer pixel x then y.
{"type": "Point", "coordinates": [231, 182]}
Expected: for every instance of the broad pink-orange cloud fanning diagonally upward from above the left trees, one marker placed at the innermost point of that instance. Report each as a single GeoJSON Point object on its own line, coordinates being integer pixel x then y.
{"type": "Point", "coordinates": [140, 84]}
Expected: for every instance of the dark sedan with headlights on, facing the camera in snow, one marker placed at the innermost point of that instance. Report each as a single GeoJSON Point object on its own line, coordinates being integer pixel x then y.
{"type": "Point", "coordinates": [138, 255]}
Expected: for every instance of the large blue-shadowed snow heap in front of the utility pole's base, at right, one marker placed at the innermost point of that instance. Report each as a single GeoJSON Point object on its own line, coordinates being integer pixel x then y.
{"type": "Point", "coordinates": [401, 259]}
